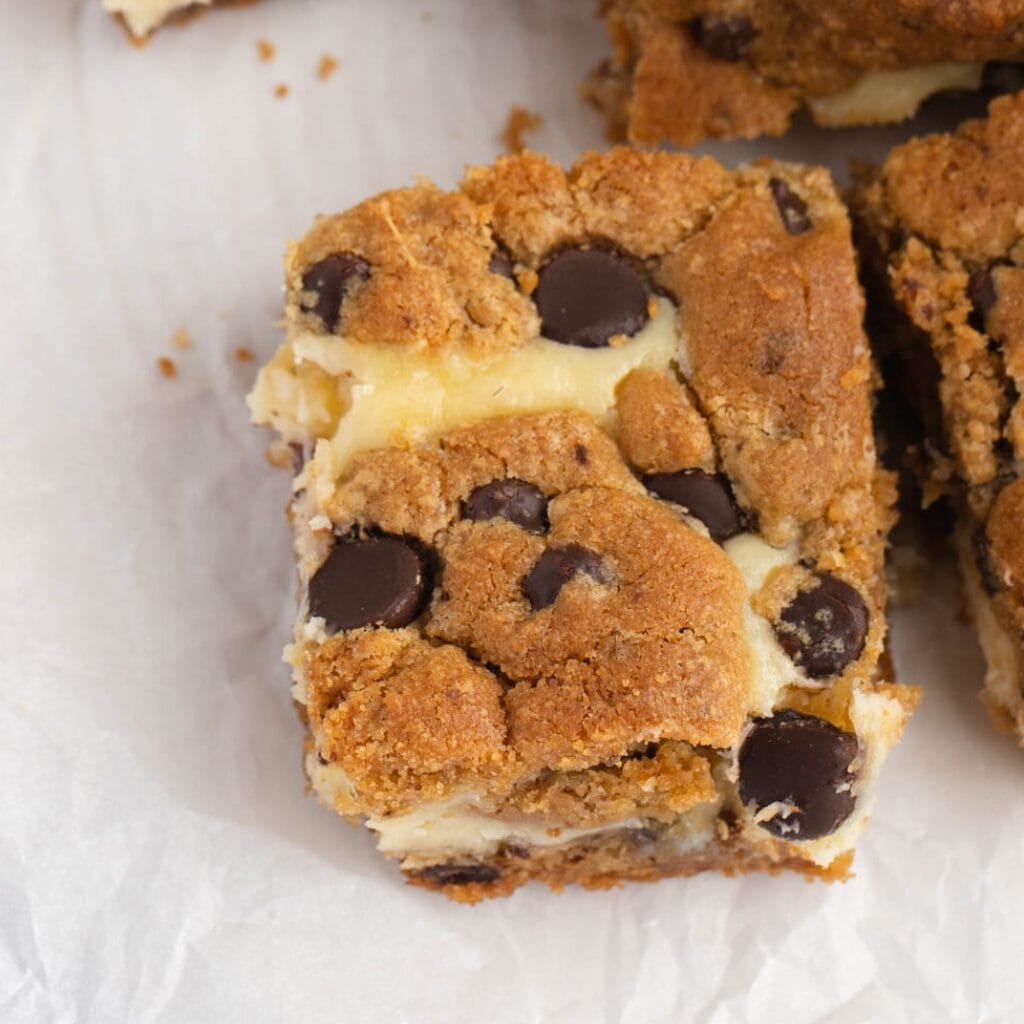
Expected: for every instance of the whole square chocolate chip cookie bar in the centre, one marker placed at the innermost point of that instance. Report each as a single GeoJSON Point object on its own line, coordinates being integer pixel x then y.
{"type": "Point", "coordinates": [589, 523]}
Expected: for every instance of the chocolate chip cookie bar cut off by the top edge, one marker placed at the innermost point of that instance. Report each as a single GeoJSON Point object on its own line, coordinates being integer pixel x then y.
{"type": "Point", "coordinates": [684, 70]}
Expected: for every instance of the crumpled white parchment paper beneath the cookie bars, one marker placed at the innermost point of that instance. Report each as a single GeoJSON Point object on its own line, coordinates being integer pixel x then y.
{"type": "Point", "coordinates": [158, 859]}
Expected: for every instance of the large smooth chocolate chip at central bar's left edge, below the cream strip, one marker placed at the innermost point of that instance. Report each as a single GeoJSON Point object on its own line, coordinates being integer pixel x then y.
{"type": "Point", "coordinates": [376, 581]}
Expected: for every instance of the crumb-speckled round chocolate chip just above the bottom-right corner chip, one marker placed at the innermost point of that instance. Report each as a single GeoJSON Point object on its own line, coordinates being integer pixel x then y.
{"type": "Point", "coordinates": [824, 629]}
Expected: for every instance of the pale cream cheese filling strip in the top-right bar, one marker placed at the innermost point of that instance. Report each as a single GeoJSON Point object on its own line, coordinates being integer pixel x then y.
{"type": "Point", "coordinates": [887, 97]}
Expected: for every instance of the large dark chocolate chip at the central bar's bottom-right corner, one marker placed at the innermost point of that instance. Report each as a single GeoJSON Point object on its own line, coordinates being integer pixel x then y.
{"type": "Point", "coordinates": [802, 761]}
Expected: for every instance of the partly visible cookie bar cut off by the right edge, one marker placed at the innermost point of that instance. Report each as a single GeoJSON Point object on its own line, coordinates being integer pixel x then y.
{"type": "Point", "coordinates": [943, 224]}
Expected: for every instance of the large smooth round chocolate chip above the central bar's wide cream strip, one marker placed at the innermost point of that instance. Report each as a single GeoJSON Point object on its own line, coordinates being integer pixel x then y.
{"type": "Point", "coordinates": [586, 297]}
